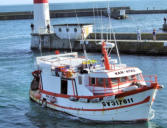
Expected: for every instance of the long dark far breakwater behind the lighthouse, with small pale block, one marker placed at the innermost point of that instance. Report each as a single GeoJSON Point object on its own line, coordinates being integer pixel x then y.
{"type": "Point", "coordinates": [114, 12]}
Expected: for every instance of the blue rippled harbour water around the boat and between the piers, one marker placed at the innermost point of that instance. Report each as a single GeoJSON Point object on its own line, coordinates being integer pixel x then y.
{"type": "Point", "coordinates": [17, 63]}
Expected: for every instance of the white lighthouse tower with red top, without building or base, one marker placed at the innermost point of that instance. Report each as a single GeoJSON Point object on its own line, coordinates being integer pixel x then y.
{"type": "Point", "coordinates": [41, 16]}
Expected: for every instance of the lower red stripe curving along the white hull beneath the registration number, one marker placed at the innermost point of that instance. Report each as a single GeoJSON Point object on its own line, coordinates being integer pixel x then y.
{"type": "Point", "coordinates": [104, 109]}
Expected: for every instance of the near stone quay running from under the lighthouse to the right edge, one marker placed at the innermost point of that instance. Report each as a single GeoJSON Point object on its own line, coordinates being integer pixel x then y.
{"type": "Point", "coordinates": [127, 43]}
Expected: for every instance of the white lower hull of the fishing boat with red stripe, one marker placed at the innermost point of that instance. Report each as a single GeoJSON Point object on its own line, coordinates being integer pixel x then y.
{"type": "Point", "coordinates": [134, 107]}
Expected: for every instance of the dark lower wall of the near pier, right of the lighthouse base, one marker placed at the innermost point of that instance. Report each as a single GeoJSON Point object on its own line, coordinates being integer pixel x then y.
{"type": "Point", "coordinates": [146, 47]}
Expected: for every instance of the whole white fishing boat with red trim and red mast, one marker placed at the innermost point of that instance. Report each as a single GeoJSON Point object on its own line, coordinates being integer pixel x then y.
{"type": "Point", "coordinates": [104, 91]}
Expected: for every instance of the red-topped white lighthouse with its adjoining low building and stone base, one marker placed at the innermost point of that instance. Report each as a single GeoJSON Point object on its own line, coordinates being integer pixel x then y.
{"type": "Point", "coordinates": [62, 36]}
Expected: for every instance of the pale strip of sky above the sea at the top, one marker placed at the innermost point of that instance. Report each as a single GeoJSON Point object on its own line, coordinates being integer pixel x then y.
{"type": "Point", "coordinates": [15, 2]}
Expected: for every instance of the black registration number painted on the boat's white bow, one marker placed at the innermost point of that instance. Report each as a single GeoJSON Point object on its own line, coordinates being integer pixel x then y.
{"type": "Point", "coordinates": [117, 102]}
